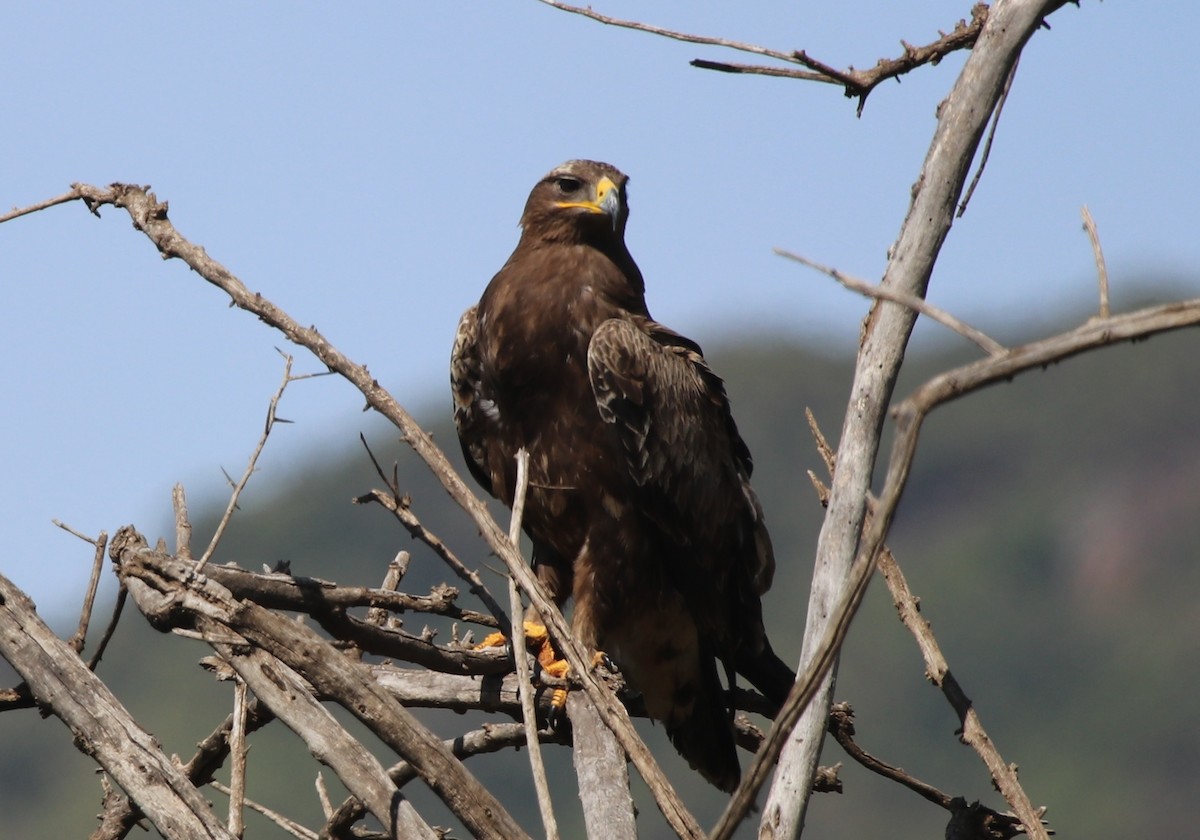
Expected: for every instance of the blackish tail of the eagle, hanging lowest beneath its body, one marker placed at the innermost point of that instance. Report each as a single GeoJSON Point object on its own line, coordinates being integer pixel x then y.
{"type": "Point", "coordinates": [704, 736]}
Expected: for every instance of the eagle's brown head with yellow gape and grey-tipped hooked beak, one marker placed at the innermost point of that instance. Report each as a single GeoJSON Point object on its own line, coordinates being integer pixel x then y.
{"type": "Point", "coordinates": [579, 201]}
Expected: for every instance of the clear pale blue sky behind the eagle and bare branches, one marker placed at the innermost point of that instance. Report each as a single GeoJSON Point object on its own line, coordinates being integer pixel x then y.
{"type": "Point", "coordinates": [364, 166]}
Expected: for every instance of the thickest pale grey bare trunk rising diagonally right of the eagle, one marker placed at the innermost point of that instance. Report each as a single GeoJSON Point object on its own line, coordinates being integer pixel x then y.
{"type": "Point", "coordinates": [842, 573]}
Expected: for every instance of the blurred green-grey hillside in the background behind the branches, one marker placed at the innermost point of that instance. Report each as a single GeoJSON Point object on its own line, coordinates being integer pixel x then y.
{"type": "Point", "coordinates": [1051, 529]}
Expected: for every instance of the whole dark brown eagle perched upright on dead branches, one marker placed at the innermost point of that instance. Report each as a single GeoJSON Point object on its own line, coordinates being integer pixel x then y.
{"type": "Point", "coordinates": [639, 502]}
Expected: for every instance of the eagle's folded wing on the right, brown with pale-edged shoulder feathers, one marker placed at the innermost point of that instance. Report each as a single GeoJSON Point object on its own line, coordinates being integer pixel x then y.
{"type": "Point", "coordinates": [683, 449]}
